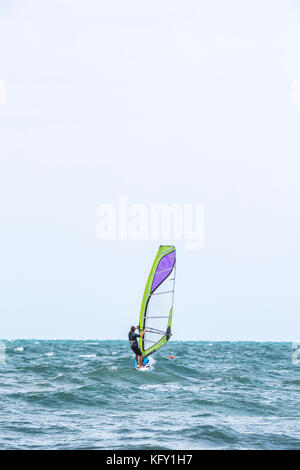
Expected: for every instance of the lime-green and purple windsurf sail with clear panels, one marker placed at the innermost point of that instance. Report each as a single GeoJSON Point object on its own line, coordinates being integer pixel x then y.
{"type": "Point", "coordinates": [157, 305]}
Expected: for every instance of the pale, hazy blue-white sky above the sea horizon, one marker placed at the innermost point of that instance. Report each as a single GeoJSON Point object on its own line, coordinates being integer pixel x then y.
{"type": "Point", "coordinates": [161, 102]}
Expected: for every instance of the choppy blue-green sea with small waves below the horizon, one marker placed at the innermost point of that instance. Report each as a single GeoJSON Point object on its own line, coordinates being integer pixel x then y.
{"type": "Point", "coordinates": [87, 395]}
